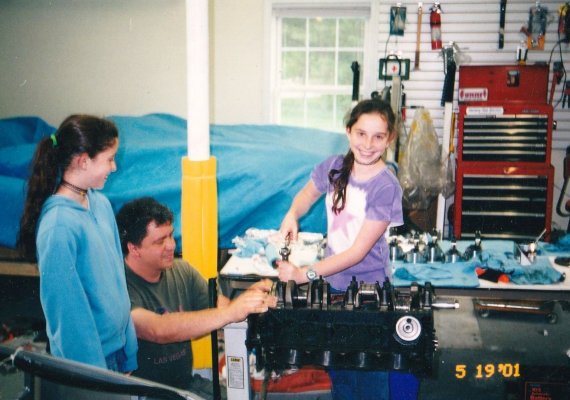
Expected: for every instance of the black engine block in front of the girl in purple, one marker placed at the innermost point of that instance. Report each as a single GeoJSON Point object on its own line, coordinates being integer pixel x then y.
{"type": "Point", "coordinates": [369, 327]}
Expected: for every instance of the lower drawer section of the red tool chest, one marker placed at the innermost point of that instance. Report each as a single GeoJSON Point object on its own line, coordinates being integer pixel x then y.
{"type": "Point", "coordinates": [503, 203]}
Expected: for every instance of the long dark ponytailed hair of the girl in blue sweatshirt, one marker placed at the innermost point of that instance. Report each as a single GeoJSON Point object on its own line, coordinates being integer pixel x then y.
{"type": "Point", "coordinates": [77, 134]}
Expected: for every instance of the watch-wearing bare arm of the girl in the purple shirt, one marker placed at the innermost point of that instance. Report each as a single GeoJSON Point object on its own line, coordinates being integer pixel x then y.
{"type": "Point", "coordinates": [369, 234]}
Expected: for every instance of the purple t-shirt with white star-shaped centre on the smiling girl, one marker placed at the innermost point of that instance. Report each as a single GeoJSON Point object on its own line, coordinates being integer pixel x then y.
{"type": "Point", "coordinates": [378, 198]}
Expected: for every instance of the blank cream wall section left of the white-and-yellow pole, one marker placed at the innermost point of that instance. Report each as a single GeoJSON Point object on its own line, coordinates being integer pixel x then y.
{"type": "Point", "coordinates": [105, 57]}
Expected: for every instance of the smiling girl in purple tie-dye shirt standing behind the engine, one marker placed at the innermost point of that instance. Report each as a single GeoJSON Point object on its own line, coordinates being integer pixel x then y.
{"type": "Point", "coordinates": [363, 199]}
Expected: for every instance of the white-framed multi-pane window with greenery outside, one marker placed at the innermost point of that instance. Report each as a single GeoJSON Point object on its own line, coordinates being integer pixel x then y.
{"type": "Point", "coordinates": [313, 56]}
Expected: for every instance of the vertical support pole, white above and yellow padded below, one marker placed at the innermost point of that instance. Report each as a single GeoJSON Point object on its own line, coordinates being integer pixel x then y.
{"type": "Point", "coordinates": [199, 208]}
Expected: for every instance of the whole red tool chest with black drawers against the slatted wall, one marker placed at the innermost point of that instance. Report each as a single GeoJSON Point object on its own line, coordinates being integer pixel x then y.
{"type": "Point", "coordinates": [504, 176]}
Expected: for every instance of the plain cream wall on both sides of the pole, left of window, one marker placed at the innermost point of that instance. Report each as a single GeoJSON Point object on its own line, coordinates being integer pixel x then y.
{"type": "Point", "coordinates": [112, 57]}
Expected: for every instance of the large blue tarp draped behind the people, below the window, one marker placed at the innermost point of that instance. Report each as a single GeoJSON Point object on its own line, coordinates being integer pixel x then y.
{"type": "Point", "coordinates": [259, 169]}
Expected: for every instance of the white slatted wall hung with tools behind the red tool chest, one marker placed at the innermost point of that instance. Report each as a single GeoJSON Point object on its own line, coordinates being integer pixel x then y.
{"type": "Point", "coordinates": [473, 26]}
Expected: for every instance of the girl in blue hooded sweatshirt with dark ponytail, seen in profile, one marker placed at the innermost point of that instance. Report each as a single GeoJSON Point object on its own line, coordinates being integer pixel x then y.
{"type": "Point", "coordinates": [70, 229]}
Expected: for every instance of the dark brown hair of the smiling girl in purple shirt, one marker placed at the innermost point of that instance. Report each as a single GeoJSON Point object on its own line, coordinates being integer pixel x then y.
{"type": "Point", "coordinates": [339, 177]}
